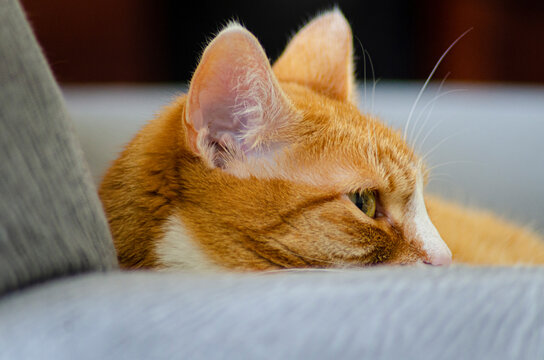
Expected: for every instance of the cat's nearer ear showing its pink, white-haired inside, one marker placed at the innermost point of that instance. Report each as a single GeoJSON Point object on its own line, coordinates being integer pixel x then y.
{"type": "Point", "coordinates": [235, 106]}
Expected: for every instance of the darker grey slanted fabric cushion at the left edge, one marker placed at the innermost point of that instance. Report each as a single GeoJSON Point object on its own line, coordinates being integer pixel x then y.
{"type": "Point", "coordinates": [51, 222]}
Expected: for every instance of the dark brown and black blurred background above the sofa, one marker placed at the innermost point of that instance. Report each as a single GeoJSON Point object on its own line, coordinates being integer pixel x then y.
{"type": "Point", "coordinates": [161, 41]}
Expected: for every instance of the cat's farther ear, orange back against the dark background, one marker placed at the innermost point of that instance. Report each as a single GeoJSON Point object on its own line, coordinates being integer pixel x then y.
{"type": "Point", "coordinates": [320, 55]}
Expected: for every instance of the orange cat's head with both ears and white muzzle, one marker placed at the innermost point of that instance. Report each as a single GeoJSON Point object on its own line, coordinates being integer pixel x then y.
{"type": "Point", "coordinates": [293, 174]}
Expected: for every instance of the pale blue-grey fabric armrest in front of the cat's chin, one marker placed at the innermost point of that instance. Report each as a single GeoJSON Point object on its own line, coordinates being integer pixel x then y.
{"type": "Point", "coordinates": [381, 313]}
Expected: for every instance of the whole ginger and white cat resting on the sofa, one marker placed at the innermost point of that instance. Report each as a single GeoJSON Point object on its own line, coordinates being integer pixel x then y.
{"type": "Point", "coordinates": [264, 167]}
